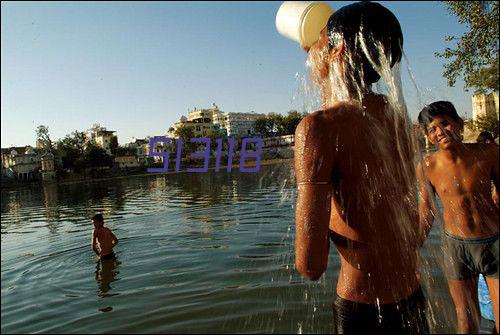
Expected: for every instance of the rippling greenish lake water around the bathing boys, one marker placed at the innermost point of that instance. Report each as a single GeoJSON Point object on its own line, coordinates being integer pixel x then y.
{"type": "Point", "coordinates": [198, 252]}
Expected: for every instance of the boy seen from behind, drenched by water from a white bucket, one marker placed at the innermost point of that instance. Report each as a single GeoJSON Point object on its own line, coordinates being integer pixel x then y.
{"type": "Point", "coordinates": [356, 179]}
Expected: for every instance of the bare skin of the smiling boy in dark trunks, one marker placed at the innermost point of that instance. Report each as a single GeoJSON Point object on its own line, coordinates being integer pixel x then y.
{"type": "Point", "coordinates": [461, 175]}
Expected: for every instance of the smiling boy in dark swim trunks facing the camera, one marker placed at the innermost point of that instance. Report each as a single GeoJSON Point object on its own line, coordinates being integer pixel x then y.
{"type": "Point", "coordinates": [461, 175]}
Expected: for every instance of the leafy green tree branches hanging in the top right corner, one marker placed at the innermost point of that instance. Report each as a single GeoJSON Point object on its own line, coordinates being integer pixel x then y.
{"type": "Point", "coordinates": [475, 56]}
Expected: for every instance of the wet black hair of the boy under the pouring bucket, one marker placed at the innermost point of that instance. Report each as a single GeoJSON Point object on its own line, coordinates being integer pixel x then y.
{"type": "Point", "coordinates": [374, 24]}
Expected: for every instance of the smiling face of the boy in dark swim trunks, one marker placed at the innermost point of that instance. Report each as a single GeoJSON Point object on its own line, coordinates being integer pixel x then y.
{"type": "Point", "coordinates": [445, 131]}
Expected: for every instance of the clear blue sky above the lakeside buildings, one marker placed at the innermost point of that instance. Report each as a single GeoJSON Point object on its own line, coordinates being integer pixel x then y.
{"type": "Point", "coordinates": [137, 67]}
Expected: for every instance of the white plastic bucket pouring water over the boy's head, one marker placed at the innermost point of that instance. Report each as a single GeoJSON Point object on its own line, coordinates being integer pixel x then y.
{"type": "Point", "coordinates": [302, 21]}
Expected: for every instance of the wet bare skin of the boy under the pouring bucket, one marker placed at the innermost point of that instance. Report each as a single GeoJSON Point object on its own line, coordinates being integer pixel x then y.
{"type": "Point", "coordinates": [353, 181]}
